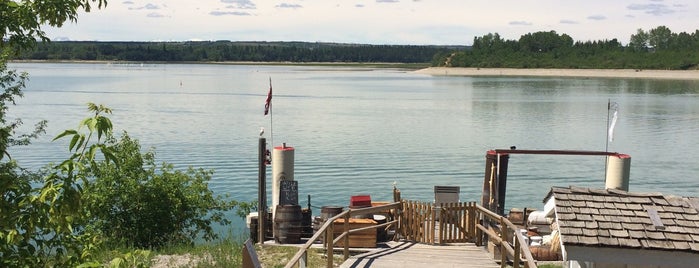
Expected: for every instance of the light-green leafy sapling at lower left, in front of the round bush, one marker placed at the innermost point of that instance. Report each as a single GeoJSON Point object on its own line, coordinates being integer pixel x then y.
{"type": "Point", "coordinates": [43, 227]}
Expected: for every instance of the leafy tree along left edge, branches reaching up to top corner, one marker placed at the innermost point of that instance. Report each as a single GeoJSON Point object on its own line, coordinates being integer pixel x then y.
{"type": "Point", "coordinates": [36, 224]}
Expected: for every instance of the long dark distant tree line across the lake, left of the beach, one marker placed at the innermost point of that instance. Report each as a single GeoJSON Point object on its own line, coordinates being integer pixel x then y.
{"type": "Point", "coordinates": [219, 51]}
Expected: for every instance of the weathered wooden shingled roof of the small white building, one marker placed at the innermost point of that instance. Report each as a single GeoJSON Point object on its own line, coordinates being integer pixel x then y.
{"type": "Point", "coordinates": [619, 219]}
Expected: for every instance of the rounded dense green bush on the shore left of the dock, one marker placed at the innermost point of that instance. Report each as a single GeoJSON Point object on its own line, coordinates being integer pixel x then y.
{"type": "Point", "coordinates": [140, 204]}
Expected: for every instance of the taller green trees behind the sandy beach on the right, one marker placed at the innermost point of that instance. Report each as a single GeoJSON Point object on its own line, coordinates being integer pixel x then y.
{"type": "Point", "coordinates": [658, 48]}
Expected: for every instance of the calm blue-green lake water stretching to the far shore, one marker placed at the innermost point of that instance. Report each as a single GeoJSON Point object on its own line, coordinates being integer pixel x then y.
{"type": "Point", "coordinates": [357, 131]}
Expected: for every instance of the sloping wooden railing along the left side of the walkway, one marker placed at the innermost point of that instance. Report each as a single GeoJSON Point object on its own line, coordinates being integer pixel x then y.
{"type": "Point", "coordinates": [328, 229]}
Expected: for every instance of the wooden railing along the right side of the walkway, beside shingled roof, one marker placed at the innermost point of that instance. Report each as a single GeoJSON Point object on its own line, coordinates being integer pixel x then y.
{"type": "Point", "coordinates": [498, 230]}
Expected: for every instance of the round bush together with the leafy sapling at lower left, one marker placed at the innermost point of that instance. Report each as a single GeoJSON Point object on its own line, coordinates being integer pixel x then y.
{"type": "Point", "coordinates": [85, 199]}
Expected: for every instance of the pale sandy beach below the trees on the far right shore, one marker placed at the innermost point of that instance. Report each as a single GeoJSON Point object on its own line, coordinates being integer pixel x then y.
{"type": "Point", "coordinates": [596, 73]}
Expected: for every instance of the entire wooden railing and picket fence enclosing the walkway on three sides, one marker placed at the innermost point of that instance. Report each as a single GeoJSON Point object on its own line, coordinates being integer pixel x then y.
{"type": "Point", "coordinates": [417, 221]}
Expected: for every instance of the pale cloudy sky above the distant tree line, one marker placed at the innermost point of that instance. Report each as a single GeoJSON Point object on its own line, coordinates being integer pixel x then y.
{"type": "Point", "coordinates": [392, 22]}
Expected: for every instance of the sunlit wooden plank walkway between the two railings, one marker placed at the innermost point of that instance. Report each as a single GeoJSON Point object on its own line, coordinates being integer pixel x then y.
{"type": "Point", "coordinates": [411, 254]}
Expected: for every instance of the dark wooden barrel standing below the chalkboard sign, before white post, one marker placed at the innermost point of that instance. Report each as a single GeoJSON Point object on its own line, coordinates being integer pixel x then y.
{"type": "Point", "coordinates": [287, 224]}
